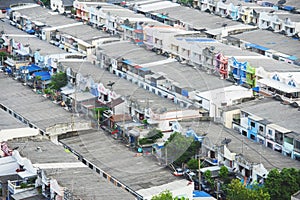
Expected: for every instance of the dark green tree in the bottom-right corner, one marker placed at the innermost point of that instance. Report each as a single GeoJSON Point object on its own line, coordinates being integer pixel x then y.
{"type": "Point", "coordinates": [281, 185]}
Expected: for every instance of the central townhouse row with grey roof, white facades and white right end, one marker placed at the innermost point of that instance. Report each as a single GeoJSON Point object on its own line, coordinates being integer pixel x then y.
{"type": "Point", "coordinates": [140, 104]}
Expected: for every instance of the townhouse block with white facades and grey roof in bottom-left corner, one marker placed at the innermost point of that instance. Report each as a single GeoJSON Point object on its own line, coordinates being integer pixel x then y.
{"type": "Point", "coordinates": [52, 176]}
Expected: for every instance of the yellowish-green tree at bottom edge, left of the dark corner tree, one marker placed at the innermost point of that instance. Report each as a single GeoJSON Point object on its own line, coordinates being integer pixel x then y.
{"type": "Point", "coordinates": [237, 191]}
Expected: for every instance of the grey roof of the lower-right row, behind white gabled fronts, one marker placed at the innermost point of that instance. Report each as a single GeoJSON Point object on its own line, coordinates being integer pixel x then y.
{"type": "Point", "coordinates": [252, 151]}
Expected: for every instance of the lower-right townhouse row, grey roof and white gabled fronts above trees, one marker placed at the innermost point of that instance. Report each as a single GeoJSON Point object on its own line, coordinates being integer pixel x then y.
{"type": "Point", "coordinates": [250, 161]}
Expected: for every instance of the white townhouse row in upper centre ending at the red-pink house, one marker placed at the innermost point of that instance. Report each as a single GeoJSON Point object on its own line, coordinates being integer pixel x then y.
{"type": "Point", "coordinates": [185, 49]}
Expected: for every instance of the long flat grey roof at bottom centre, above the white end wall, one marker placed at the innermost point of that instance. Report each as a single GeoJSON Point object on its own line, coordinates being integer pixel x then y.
{"type": "Point", "coordinates": [115, 159]}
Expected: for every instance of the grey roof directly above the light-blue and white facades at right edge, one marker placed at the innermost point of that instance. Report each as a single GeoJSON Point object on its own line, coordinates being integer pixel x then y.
{"type": "Point", "coordinates": [288, 117]}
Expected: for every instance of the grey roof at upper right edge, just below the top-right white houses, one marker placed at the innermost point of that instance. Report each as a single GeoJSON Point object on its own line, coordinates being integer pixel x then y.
{"type": "Point", "coordinates": [271, 40]}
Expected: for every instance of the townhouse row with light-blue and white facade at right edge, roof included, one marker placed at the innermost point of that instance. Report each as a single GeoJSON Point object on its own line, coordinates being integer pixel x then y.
{"type": "Point", "coordinates": [261, 129]}
